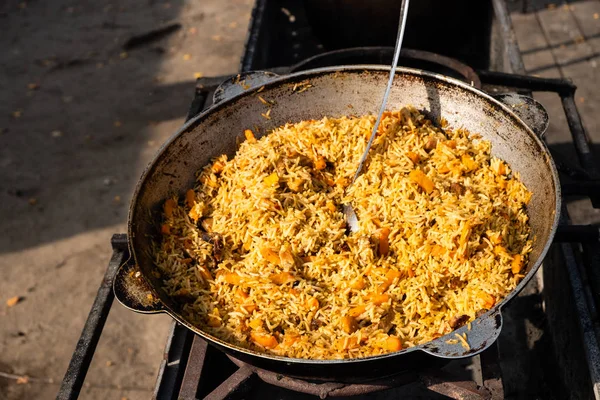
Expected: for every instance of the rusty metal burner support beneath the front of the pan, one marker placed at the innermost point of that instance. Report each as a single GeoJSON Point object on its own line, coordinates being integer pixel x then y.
{"type": "Point", "coordinates": [246, 381]}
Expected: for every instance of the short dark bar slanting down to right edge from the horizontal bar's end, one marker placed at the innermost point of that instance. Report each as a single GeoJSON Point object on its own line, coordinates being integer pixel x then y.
{"type": "Point", "coordinates": [581, 140]}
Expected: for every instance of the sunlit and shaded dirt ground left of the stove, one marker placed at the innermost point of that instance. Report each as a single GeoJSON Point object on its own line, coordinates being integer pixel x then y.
{"type": "Point", "coordinates": [80, 117]}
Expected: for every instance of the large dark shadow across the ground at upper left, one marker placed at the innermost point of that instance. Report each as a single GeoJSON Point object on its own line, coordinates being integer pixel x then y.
{"type": "Point", "coordinates": [80, 116]}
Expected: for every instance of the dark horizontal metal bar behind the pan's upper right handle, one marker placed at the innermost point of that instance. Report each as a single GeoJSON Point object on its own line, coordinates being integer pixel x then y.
{"type": "Point", "coordinates": [533, 83]}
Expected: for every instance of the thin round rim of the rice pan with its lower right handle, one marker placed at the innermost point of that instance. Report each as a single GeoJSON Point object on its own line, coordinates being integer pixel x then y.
{"type": "Point", "coordinates": [437, 347]}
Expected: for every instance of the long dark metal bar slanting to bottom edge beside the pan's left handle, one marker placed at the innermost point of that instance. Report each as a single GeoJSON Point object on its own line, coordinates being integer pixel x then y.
{"type": "Point", "coordinates": [86, 346]}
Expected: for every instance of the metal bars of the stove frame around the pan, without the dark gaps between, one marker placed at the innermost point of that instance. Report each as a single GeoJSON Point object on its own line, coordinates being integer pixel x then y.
{"type": "Point", "coordinates": [576, 247]}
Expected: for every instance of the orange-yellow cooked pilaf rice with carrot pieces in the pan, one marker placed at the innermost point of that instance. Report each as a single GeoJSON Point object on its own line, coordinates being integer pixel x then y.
{"type": "Point", "coordinates": [258, 254]}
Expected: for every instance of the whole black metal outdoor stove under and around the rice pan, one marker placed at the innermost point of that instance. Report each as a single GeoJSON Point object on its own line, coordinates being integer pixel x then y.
{"type": "Point", "coordinates": [565, 339]}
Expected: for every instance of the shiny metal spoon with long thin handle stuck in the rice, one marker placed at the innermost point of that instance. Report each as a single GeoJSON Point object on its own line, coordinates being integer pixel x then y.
{"type": "Point", "coordinates": [351, 218]}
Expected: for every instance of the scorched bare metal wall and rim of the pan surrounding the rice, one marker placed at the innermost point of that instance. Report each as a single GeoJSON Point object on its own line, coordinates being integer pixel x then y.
{"type": "Point", "coordinates": [215, 131]}
